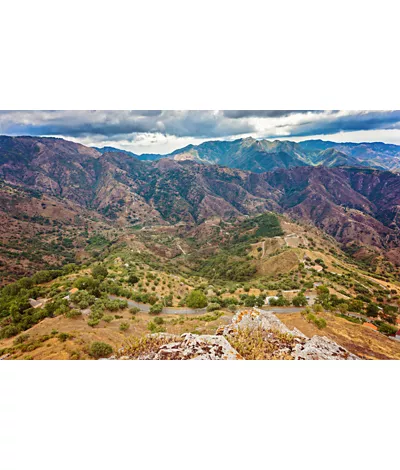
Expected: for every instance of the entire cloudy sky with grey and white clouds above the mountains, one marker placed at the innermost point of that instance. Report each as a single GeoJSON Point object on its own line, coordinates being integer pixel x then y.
{"type": "Point", "coordinates": [165, 131]}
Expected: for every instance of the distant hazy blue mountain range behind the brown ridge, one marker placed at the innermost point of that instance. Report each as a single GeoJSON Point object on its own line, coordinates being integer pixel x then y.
{"type": "Point", "coordinates": [263, 155]}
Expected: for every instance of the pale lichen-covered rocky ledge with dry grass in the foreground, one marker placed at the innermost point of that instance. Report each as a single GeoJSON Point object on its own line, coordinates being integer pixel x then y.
{"type": "Point", "coordinates": [252, 334]}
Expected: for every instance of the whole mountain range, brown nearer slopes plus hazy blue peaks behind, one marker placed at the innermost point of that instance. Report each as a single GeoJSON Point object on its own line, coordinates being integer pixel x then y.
{"type": "Point", "coordinates": [358, 206]}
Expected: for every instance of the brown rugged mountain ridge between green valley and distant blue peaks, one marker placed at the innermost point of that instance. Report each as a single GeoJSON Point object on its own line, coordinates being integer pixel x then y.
{"type": "Point", "coordinates": [357, 206]}
